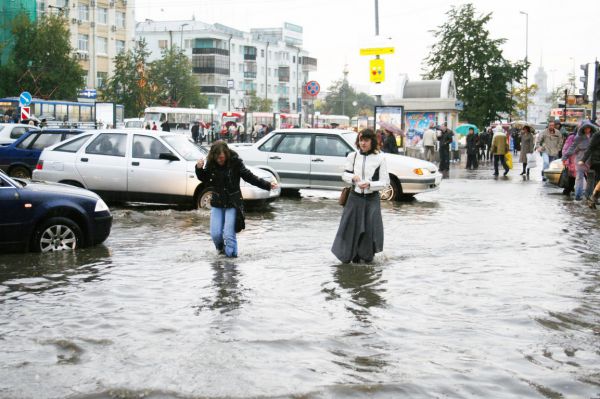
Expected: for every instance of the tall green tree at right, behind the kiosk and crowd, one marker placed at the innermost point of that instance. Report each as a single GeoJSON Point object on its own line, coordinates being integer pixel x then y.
{"type": "Point", "coordinates": [482, 74]}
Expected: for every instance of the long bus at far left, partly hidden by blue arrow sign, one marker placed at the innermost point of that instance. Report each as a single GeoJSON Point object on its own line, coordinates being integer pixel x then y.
{"type": "Point", "coordinates": [58, 113]}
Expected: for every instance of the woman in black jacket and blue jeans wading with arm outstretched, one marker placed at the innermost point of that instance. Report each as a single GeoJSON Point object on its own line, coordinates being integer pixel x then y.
{"type": "Point", "coordinates": [223, 171]}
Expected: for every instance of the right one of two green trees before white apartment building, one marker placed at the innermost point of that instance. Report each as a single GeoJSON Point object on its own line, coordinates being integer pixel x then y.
{"type": "Point", "coordinates": [172, 74]}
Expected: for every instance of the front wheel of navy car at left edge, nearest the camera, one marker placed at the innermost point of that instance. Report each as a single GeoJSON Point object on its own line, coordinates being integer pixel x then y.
{"type": "Point", "coordinates": [57, 234]}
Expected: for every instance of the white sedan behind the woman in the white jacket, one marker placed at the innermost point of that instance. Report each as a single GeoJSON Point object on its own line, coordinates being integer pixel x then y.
{"type": "Point", "coordinates": [315, 158]}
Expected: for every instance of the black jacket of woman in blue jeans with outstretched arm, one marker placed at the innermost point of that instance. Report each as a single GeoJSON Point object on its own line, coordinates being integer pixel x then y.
{"type": "Point", "coordinates": [225, 181]}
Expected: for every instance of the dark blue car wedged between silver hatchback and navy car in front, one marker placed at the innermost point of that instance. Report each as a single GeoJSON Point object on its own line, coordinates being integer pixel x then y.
{"type": "Point", "coordinates": [18, 159]}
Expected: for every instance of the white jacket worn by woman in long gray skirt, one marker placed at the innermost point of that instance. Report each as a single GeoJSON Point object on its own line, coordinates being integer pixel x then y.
{"type": "Point", "coordinates": [365, 167]}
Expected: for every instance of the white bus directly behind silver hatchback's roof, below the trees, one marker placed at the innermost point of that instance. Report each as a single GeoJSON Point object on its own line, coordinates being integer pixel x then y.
{"type": "Point", "coordinates": [181, 119]}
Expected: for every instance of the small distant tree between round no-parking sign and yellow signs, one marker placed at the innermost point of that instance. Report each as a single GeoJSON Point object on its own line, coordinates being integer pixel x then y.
{"type": "Point", "coordinates": [341, 99]}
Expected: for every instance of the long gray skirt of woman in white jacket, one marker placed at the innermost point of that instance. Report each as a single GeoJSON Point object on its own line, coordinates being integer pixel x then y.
{"type": "Point", "coordinates": [360, 234]}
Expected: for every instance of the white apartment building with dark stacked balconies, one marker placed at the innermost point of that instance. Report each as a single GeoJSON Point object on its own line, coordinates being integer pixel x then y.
{"type": "Point", "coordinates": [229, 65]}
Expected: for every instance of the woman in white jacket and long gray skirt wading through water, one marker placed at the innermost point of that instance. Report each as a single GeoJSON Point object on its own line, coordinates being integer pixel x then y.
{"type": "Point", "coordinates": [360, 234]}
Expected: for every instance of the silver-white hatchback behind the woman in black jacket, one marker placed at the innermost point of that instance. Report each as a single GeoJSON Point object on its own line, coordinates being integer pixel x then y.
{"type": "Point", "coordinates": [137, 166]}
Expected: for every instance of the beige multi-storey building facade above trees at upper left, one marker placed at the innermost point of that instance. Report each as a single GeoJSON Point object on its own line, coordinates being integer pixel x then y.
{"type": "Point", "coordinates": [100, 29]}
